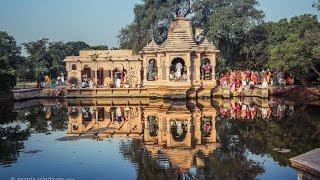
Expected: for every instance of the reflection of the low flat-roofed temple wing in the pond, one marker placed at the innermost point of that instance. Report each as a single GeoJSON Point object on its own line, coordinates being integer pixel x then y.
{"type": "Point", "coordinates": [105, 121]}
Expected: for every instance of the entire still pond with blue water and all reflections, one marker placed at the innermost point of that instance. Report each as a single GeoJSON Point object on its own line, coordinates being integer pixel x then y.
{"type": "Point", "coordinates": [155, 139]}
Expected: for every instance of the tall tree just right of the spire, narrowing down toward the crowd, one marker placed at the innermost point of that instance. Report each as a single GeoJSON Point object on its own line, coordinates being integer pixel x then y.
{"type": "Point", "coordinates": [227, 25]}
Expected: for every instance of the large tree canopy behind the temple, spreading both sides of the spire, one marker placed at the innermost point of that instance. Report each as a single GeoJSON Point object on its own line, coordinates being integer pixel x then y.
{"type": "Point", "coordinates": [224, 22]}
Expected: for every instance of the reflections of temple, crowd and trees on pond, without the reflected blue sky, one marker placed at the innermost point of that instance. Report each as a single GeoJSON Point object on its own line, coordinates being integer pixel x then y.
{"type": "Point", "coordinates": [201, 139]}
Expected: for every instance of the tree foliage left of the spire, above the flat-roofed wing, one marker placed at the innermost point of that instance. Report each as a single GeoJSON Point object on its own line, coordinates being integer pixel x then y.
{"type": "Point", "coordinates": [152, 19]}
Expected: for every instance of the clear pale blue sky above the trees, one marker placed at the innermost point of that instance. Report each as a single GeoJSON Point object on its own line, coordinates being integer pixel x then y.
{"type": "Point", "coordinates": [97, 22]}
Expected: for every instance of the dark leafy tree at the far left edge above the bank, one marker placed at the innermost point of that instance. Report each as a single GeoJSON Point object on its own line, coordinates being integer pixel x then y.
{"type": "Point", "coordinates": [9, 61]}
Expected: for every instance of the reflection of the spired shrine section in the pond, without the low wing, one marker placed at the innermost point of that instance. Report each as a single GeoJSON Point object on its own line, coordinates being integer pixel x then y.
{"type": "Point", "coordinates": [178, 134]}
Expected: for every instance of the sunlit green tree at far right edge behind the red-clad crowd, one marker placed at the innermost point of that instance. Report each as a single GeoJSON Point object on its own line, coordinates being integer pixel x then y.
{"type": "Point", "coordinates": [294, 46]}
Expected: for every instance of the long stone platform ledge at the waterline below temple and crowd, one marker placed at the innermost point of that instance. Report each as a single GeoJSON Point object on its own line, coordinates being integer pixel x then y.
{"type": "Point", "coordinates": [143, 92]}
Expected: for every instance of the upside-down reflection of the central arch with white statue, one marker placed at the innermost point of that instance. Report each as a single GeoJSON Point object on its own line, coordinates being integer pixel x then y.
{"type": "Point", "coordinates": [178, 130]}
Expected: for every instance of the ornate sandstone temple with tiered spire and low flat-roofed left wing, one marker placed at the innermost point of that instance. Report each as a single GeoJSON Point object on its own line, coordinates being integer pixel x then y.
{"type": "Point", "coordinates": [179, 66]}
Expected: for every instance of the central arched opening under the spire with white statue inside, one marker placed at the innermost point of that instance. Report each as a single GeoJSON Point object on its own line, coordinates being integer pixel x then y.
{"type": "Point", "coordinates": [178, 70]}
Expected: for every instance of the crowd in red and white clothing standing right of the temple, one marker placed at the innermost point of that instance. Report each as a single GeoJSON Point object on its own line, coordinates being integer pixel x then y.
{"type": "Point", "coordinates": [237, 79]}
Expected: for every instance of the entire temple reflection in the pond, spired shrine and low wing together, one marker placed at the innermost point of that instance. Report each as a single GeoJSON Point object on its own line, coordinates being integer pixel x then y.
{"type": "Point", "coordinates": [177, 131]}
